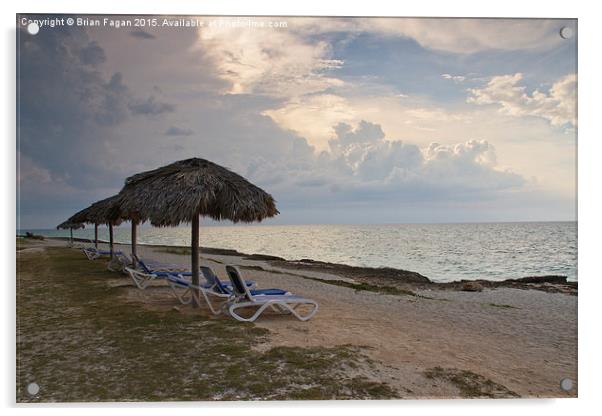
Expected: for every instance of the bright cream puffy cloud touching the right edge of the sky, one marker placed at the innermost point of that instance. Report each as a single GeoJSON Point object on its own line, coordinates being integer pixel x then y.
{"type": "Point", "coordinates": [557, 105]}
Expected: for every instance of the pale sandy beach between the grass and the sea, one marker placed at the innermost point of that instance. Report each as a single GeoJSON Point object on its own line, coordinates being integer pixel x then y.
{"type": "Point", "coordinates": [423, 340]}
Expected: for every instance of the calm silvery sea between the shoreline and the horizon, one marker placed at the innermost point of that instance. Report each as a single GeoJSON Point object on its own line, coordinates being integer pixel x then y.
{"type": "Point", "coordinates": [442, 252]}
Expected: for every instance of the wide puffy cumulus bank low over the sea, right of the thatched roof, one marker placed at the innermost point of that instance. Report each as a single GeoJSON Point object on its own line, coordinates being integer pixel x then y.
{"type": "Point", "coordinates": [362, 163]}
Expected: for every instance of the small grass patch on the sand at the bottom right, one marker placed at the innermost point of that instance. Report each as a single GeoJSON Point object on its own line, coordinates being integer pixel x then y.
{"type": "Point", "coordinates": [469, 384]}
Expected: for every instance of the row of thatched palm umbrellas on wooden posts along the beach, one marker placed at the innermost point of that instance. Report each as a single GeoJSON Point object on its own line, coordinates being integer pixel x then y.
{"type": "Point", "coordinates": [174, 194]}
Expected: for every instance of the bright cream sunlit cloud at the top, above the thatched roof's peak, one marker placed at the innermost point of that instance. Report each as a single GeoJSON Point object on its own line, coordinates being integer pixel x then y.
{"type": "Point", "coordinates": [275, 62]}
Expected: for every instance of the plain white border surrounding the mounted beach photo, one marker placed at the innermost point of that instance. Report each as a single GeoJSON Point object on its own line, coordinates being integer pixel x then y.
{"type": "Point", "coordinates": [589, 191]}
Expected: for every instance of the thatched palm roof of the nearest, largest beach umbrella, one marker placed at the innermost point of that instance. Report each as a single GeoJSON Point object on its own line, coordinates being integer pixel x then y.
{"type": "Point", "coordinates": [175, 193]}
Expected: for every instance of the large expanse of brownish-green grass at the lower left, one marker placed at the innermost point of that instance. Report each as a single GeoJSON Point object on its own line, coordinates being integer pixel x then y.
{"type": "Point", "coordinates": [81, 339]}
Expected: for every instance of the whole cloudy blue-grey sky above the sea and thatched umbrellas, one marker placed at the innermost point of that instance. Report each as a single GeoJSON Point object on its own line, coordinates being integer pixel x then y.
{"type": "Point", "coordinates": [342, 120]}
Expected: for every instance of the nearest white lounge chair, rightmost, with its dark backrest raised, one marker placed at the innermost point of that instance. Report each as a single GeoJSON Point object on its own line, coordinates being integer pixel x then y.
{"type": "Point", "coordinates": [243, 298]}
